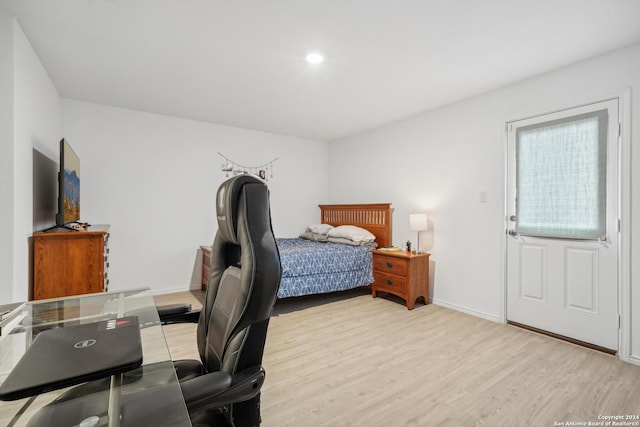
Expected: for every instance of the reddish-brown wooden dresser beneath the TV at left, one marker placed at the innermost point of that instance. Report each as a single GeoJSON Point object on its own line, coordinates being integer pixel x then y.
{"type": "Point", "coordinates": [70, 262]}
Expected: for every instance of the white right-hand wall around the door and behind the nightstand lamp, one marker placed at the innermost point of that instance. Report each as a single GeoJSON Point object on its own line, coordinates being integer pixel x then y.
{"type": "Point", "coordinates": [439, 161]}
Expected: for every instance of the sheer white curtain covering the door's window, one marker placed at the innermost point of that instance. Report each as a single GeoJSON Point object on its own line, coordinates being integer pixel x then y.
{"type": "Point", "coordinates": [561, 177]}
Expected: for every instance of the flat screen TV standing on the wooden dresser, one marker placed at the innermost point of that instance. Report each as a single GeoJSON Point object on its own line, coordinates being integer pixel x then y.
{"type": "Point", "coordinates": [68, 186]}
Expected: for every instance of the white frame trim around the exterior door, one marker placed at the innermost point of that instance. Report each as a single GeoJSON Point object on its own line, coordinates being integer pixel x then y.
{"type": "Point", "coordinates": [624, 216]}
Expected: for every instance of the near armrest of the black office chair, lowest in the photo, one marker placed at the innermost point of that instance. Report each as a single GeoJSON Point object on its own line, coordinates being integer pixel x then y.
{"type": "Point", "coordinates": [217, 389]}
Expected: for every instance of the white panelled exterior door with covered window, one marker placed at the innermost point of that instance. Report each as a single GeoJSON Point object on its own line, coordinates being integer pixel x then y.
{"type": "Point", "coordinates": [562, 207]}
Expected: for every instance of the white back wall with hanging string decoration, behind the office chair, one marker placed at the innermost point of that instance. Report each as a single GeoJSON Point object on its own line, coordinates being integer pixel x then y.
{"type": "Point", "coordinates": [154, 179]}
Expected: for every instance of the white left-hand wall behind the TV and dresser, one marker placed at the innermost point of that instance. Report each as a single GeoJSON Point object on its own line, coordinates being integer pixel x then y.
{"type": "Point", "coordinates": [30, 119]}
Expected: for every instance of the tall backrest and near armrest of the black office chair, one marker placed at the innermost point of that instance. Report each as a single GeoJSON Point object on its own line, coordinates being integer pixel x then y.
{"type": "Point", "coordinates": [241, 291]}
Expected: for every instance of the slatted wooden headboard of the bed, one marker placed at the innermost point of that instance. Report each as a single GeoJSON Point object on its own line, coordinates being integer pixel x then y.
{"type": "Point", "coordinates": [375, 217]}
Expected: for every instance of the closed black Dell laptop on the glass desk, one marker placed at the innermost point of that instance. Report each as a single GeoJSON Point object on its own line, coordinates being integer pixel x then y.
{"type": "Point", "coordinates": [63, 357]}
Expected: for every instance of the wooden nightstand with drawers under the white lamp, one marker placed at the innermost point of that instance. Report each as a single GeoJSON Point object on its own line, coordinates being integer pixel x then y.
{"type": "Point", "coordinates": [401, 273]}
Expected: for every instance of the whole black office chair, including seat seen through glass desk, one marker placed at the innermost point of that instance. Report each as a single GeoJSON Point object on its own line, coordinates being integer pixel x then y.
{"type": "Point", "coordinates": [223, 387]}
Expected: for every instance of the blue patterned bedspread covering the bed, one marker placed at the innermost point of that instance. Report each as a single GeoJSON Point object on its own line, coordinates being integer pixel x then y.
{"type": "Point", "coordinates": [313, 268]}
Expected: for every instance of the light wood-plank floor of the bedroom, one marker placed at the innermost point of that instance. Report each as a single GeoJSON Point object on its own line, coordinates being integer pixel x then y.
{"type": "Point", "coordinates": [349, 360]}
